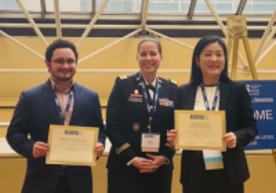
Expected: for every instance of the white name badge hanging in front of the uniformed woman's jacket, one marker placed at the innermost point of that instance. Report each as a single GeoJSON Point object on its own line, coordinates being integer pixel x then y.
{"type": "Point", "coordinates": [150, 142]}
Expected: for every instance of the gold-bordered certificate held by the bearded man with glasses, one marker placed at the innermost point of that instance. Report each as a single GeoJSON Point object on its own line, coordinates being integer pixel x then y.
{"type": "Point", "coordinates": [72, 145]}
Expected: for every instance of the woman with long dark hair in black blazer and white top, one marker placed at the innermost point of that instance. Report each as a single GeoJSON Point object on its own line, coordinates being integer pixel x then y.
{"type": "Point", "coordinates": [211, 89]}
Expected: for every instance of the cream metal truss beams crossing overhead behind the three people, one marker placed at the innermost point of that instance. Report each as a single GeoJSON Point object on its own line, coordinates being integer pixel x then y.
{"type": "Point", "coordinates": [166, 26]}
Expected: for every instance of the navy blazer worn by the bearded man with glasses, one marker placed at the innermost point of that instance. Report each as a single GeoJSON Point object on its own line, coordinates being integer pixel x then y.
{"type": "Point", "coordinates": [35, 111]}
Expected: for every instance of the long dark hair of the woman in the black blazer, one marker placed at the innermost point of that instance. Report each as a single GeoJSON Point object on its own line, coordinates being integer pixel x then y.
{"type": "Point", "coordinates": [196, 74]}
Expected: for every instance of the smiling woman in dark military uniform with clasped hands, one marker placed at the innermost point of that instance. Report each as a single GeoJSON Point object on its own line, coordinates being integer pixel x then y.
{"type": "Point", "coordinates": [140, 112]}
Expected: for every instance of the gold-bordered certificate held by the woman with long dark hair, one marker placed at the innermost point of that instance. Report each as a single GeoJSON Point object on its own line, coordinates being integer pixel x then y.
{"type": "Point", "coordinates": [200, 130]}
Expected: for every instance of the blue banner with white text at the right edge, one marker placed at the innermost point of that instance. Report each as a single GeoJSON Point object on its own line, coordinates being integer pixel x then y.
{"type": "Point", "coordinates": [263, 98]}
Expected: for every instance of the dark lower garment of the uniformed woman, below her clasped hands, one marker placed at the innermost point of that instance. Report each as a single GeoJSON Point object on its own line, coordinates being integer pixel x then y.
{"type": "Point", "coordinates": [131, 181]}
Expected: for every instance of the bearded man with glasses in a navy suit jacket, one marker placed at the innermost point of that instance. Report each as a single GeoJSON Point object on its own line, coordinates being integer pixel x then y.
{"type": "Point", "coordinates": [58, 101]}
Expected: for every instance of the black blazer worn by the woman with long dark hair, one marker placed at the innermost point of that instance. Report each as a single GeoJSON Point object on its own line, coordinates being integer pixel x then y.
{"type": "Point", "coordinates": [236, 102]}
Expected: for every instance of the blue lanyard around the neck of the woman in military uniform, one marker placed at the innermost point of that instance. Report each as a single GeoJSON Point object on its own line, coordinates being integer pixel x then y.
{"type": "Point", "coordinates": [151, 109]}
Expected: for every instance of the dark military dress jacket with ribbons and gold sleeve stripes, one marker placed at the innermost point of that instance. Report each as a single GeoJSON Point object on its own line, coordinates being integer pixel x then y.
{"type": "Point", "coordinates": [128, 119]}
